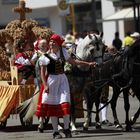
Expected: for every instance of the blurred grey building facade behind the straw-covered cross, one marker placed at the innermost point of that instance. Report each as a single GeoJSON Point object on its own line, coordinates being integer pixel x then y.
{"type": "Point", "coordinates": [48, 13]}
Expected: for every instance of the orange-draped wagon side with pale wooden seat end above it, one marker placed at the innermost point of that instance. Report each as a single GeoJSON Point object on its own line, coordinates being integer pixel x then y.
{"type": "Point", "coordinates": [12, 94]}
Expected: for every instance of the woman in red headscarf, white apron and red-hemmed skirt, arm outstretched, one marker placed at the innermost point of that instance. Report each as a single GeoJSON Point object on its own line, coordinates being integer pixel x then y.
{"type": "Point", "coordinates": [56, 94]}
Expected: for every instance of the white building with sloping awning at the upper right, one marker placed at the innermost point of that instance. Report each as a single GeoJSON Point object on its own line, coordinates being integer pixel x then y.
{"type": "Point", "coordinates": [124, 15]}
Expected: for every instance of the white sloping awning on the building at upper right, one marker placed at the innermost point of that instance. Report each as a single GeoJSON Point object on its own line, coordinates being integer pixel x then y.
{"type": "Point", "coordinates": [123, 14]}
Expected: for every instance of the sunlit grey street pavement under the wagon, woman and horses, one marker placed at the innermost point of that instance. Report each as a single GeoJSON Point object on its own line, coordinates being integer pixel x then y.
{"type": "Point", "coordinates": [14, 130]}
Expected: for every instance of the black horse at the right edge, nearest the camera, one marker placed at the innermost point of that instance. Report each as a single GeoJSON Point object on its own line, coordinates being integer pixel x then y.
{"type": "Point", "coordinates": [124, 75]}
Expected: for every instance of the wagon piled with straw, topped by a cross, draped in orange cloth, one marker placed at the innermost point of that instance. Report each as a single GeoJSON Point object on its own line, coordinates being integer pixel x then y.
{"type": "Point", "coordinates": [13, 96]}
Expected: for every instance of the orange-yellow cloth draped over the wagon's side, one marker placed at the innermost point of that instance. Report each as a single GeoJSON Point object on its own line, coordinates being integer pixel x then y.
{"type": "Point", "coordinates": [11, 96]}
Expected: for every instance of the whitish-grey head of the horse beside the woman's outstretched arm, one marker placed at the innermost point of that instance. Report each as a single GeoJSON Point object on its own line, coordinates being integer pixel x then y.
{"type": "Point", "coordinates": [90, 49]}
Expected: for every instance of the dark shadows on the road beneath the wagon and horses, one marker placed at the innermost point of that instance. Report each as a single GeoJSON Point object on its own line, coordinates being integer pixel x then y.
{"type": "Point", "coordinates": [92, 129]}
